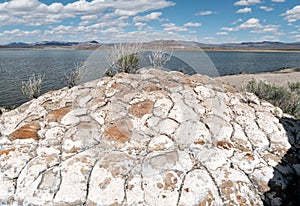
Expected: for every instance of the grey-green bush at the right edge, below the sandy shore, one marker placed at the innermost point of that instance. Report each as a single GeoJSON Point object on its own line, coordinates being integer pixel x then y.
{"type": "Point", "coordinates": [287, 98]}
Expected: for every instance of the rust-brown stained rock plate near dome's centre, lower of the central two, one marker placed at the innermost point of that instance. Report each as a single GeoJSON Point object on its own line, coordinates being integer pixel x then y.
{"type": "Point", "coordinates": [119, 131]}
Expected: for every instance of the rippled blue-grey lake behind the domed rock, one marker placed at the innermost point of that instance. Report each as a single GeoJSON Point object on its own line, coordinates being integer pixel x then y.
{"type": "Point", "coordinates": [16, 66]}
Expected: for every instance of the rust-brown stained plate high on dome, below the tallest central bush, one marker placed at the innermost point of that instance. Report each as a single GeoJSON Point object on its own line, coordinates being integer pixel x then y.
{"type": "Point", "coordinates": [141, 108]}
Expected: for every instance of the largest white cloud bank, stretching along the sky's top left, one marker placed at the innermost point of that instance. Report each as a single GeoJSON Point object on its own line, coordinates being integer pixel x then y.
{"type": "Point", "coordinates": [36, 13]}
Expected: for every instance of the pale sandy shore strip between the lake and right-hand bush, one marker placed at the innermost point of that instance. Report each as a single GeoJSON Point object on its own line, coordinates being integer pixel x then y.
{"type": "Point", "coordinates": [280, 77]}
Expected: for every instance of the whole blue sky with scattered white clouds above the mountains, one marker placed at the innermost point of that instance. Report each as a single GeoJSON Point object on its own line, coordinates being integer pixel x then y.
{"type": "Point", "coordinates": [206, 21]}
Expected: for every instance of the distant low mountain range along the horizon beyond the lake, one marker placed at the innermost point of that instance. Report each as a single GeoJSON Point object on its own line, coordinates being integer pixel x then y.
{"type": "Point", "coordinates": [168, 44]}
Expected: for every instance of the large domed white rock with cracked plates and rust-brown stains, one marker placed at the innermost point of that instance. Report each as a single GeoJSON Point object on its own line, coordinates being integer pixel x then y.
{"type": "Point", "coordinates": [151, 138]}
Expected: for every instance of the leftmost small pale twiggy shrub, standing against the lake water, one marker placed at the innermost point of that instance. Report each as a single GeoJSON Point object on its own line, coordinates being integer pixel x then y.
{"type": "Point", "coordinates": [32, 88]}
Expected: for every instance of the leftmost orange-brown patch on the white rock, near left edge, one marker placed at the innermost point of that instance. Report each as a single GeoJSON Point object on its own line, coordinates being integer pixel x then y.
{"type": "Point", "coordinates": [26, 132]}
